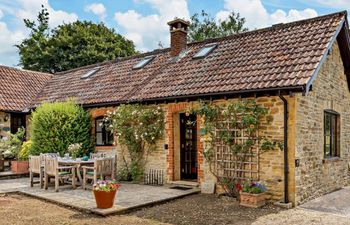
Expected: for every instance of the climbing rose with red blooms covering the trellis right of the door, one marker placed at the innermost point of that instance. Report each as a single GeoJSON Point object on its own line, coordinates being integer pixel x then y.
{"type": "Point", "coordinates": [236, 126]}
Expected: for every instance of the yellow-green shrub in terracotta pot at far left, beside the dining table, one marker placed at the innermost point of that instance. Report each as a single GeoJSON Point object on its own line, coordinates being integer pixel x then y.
{"type": "Point", "coordinates": [21, 164]}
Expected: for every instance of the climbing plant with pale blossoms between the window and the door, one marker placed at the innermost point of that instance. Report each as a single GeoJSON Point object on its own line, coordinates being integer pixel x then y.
{"type": "Point", "coordinates": [138, 128]}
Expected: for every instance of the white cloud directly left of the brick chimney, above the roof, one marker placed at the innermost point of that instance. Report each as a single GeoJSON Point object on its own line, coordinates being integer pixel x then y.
{"type": "Point", "coordinates": [147, 30]}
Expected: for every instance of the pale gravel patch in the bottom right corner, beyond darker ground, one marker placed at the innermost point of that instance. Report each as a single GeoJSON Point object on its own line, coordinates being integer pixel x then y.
{"type": "Point", "coordinates": [302, 217]}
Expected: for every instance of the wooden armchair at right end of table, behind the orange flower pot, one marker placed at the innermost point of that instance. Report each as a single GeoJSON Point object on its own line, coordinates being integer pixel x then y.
{"type": "Point", "coordinates": [102, 167]}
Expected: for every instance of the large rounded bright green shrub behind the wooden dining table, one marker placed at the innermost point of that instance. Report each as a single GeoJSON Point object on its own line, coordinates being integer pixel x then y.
{"type": "Point", "coordinates": [57, 125]}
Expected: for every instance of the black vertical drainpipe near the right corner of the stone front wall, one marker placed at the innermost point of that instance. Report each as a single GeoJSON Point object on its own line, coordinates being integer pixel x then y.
{"type": "Point", "coordinates": [285, 148]}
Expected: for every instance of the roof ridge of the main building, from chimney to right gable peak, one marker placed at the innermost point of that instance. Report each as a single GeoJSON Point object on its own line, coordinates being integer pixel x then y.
{"type": "Point", "coordinates": [272, 27]}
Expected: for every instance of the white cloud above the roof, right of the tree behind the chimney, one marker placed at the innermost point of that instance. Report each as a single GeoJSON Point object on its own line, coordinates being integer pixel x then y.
{"type": "Point", "coordinates": [257, 16]}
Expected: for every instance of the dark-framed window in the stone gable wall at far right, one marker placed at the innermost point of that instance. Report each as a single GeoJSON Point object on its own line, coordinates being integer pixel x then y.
{"type": "Point", "coordinates": [334, 135]}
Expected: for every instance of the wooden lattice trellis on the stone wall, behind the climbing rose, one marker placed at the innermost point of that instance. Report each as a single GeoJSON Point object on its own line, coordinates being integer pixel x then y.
{"type": "Point", "coordinates": [226, 163]}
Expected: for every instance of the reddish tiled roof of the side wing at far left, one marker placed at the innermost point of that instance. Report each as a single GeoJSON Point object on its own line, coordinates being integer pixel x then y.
{"type": "Point", "coordinates": [18, 88]}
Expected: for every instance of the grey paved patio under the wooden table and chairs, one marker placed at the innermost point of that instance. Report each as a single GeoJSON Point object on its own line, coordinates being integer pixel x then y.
{"type": "Point", "coordinates": [129, 196]}
